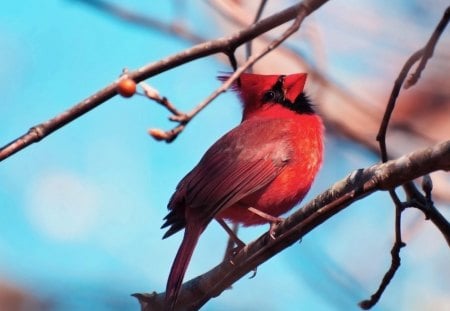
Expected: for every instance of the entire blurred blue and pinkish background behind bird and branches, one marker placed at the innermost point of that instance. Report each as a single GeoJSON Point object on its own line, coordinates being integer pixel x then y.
{"type": "Point", "coordinates": [81, 210]}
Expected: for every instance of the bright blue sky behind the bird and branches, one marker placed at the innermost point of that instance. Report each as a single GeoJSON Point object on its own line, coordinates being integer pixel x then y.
{"type": "Point", "coordinates": [81, 210]}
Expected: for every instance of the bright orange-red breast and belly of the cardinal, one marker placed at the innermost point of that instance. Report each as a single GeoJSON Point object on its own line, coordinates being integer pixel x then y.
{"type": "Point", "coordinates": [305, 144]}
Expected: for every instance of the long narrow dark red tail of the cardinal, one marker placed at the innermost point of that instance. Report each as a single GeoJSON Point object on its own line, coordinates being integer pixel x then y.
{"type": "Point", "coordinates": [180, 264]}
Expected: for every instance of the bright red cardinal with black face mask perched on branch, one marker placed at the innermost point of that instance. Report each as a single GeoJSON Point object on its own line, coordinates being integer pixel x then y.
{"type": "Point", "coordinates": [254, 173]}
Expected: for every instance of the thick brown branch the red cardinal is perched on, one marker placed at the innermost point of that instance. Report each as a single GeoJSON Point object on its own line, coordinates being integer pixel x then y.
{"type": "Point", "coordinates": [357, 185]}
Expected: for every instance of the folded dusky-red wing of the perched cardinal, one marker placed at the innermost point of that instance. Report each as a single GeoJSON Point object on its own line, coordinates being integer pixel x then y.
{"type": "Point", "coordinates": [236, 166]}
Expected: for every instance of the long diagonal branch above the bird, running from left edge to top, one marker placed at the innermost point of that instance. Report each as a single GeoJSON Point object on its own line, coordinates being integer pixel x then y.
{"type": "Point", "coordinates": [221, 45]}
